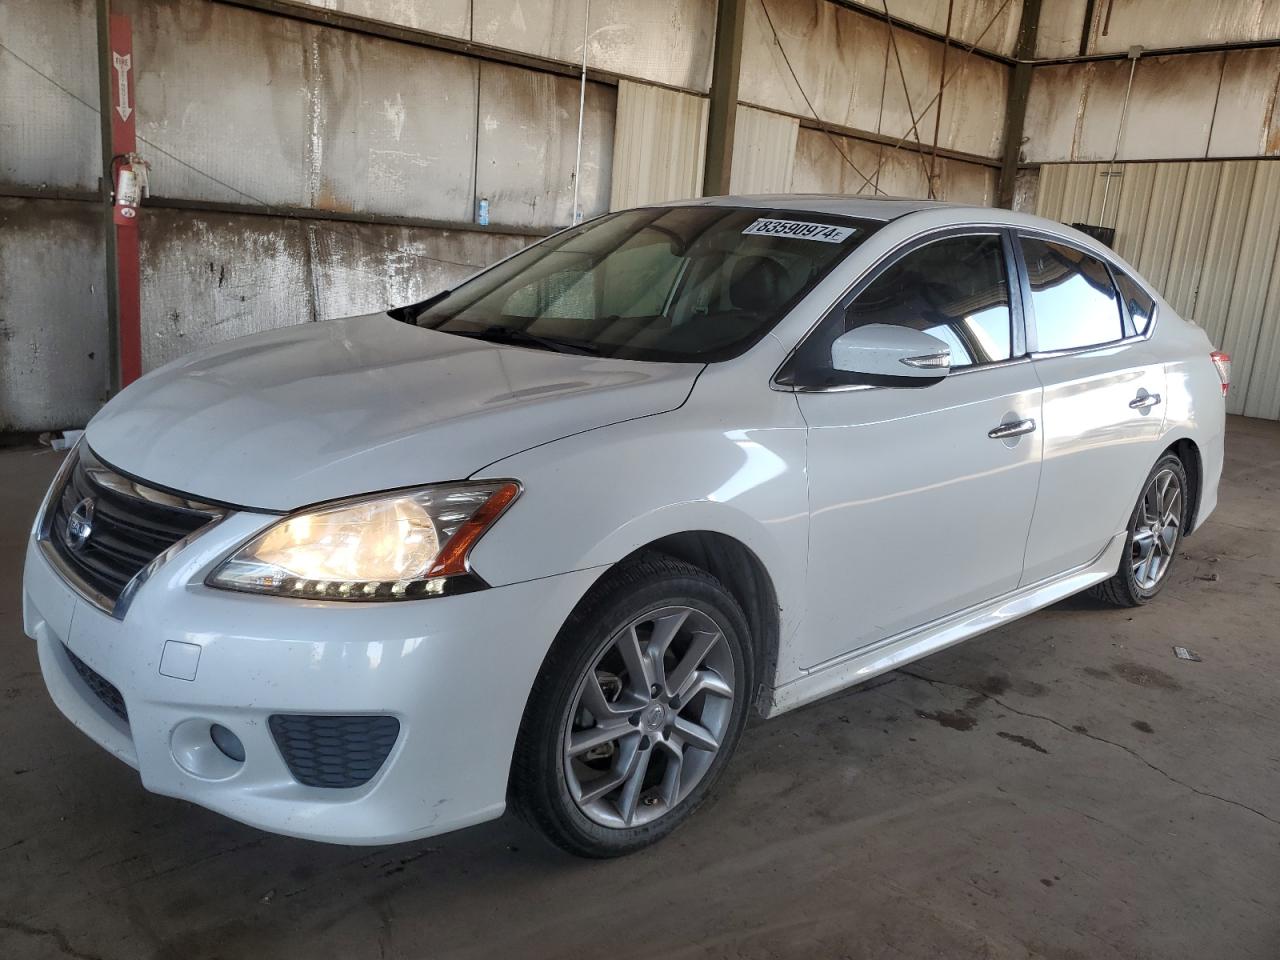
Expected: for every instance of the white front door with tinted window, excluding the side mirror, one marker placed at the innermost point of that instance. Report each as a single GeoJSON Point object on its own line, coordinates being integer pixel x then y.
{"type": "Point", "coordinates": [917, 511]}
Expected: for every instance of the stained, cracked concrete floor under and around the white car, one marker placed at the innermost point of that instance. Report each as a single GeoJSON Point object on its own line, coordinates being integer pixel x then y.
{"type": "Point", "coordinates": [1063, 788]}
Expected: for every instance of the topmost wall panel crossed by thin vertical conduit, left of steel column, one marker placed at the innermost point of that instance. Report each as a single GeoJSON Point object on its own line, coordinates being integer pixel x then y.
{"type": "Point", "coordinates": [666, 42]}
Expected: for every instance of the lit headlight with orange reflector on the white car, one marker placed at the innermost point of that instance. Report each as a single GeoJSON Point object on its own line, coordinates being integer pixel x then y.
{"type": "Point", "coordinates": [386, 548]}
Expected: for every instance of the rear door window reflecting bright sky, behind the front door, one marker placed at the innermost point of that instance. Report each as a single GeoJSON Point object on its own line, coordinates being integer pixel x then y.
{"type": "Point", "coordinates": [1073, 300]}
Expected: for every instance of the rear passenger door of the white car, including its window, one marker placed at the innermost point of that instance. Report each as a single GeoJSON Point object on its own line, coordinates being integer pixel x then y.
{"type": "Point", "coordinates": [1104, 405]}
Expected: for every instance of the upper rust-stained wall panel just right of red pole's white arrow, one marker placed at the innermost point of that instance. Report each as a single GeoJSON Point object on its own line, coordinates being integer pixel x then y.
{"type": "Point", "coordinates": [321, 117]}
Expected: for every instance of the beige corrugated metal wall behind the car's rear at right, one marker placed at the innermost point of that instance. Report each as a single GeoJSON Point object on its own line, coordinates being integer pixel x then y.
{"type": "Point", "coordinates": [1208, 236]}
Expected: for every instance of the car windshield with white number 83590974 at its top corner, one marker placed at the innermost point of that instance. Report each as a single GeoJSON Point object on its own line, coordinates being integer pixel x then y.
{"type": "Point", "coordinates": [684, 284]}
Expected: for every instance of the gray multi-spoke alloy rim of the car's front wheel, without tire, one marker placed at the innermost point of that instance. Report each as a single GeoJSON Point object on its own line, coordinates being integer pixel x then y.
{"type": "Point", "coordinates": [648, 717]}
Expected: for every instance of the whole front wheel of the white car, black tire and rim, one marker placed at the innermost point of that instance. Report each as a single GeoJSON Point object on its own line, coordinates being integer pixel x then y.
{"type": "Point", "coordinates": [607, 656]}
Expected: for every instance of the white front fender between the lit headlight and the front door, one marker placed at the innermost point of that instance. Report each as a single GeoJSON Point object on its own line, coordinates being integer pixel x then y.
{"type": "Point", "coordinates": [592, 500]}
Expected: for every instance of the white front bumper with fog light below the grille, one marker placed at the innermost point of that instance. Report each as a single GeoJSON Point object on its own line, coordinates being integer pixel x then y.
{"type": "Point", "coordinates": [455, 671]}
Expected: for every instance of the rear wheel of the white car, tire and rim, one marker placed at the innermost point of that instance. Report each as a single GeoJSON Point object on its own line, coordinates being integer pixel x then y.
{"type": "Point", "coordinates": [1133, 586]}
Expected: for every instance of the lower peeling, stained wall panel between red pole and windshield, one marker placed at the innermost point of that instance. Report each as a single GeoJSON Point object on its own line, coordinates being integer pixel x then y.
{"type": "Point", "coordinates": [209, 278]}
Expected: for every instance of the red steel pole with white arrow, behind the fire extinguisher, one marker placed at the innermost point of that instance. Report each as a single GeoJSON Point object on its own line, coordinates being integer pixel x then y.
{"type": "Point", "coordinates": [125, 143]}
